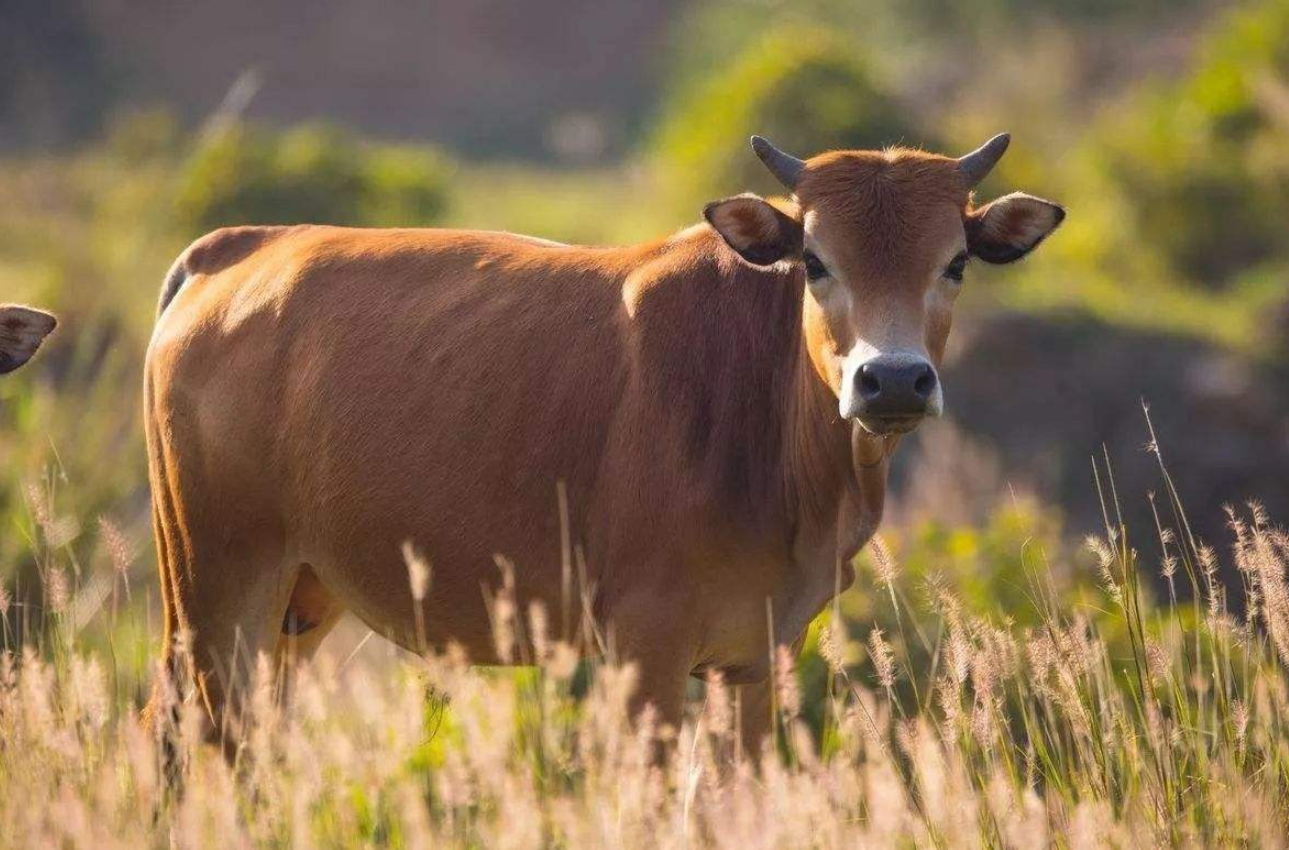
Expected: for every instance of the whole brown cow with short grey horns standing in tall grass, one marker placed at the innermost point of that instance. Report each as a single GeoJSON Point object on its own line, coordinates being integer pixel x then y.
{"type": "Point", "coordinates": [719, 410]}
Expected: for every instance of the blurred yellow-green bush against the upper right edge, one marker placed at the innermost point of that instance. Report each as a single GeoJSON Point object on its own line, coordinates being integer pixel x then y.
{"type": "Point", "coordinates": [1206, 161]}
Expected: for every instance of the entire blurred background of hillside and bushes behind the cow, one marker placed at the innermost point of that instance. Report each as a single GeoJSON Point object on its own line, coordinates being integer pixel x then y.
{"type": "Point", "coordinates": [1163, 127]}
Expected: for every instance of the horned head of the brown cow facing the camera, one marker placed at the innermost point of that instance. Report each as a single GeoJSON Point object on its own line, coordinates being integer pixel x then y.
{"type": "Point", "coordinates": [884, 239]}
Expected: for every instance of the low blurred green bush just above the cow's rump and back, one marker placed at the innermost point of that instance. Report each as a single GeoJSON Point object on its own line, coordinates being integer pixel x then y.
{"type": "Point", "coordinates": [310, 175]}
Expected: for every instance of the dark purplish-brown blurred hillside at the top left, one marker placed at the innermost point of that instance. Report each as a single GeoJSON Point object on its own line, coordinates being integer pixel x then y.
{"type": "Point", "coordinates": [493, 75]}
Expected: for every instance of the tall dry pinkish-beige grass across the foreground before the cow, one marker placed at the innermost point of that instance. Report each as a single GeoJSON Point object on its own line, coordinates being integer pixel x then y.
{"type": "Point", "coordinates": [1125, 723]}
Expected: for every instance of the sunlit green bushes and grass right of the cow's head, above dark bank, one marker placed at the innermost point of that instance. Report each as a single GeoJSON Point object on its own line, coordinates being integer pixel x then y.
{"type": "Point", "coordinates": [1179, 195]}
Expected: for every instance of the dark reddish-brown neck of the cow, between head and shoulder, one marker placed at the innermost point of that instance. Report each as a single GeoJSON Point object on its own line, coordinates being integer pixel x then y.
{"type": "Point", "coordinates": [728, 368]}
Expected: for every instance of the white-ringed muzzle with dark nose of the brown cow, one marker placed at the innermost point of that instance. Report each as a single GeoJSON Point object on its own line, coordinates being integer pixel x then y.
{"type": "Point", "coordinates": [893, 394]}
